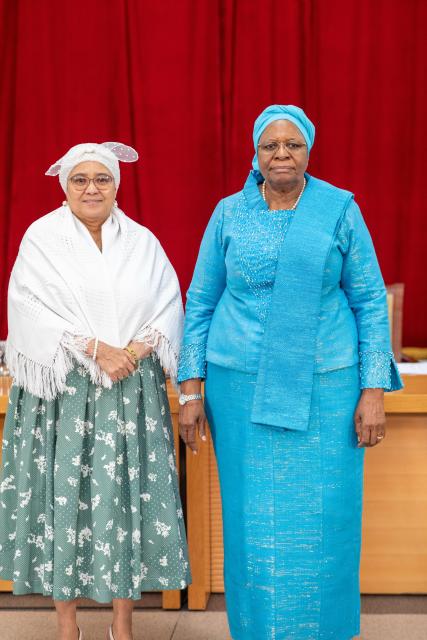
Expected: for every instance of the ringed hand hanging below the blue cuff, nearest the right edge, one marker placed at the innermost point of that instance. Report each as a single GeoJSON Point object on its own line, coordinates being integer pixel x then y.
{"type": "Point", "coordinates": [369, 418]}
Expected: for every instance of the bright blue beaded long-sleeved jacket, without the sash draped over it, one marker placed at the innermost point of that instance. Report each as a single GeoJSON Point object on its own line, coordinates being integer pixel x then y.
{"type": "Point", "coordinates": [229, 298]}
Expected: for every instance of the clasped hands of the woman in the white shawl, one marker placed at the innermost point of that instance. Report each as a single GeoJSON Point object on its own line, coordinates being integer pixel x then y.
{"type": "Point", "coordinates": [118, 363]}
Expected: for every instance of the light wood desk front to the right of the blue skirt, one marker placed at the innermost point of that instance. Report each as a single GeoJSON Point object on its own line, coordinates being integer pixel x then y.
{"type": "Point", "coordinates": [394, 550]}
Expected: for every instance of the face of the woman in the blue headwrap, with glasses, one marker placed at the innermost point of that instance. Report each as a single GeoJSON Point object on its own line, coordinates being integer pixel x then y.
{"type": "Point", "coordinates": [284, 166]}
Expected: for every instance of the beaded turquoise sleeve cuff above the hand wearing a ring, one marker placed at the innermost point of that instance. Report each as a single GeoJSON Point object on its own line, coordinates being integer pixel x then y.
{"type": "Point", "coordinates": [378, 370]}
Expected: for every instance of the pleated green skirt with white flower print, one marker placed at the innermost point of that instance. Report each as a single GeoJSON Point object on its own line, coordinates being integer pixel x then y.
{"type": "Point", "coordinates": [89, 499]}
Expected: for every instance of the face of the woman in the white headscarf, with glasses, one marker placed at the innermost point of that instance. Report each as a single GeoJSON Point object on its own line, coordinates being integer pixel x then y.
{"type": "Point", "coordinates": [91, 202]}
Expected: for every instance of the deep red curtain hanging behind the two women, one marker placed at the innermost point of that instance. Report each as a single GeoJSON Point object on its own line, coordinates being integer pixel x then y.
{"type": "Point", "coordinates": [183, 81]}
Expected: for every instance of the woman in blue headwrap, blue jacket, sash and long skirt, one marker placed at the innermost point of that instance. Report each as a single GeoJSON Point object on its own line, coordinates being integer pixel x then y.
{"type": "Point", "coordinates": [287, 322]}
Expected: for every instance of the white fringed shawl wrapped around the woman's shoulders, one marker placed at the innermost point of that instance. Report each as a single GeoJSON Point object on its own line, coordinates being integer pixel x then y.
{"type": "Point", "coordinates": [63, 291]}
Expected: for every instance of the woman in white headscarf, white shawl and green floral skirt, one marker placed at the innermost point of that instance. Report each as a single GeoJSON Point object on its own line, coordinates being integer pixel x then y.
{"type": "Point", "coordinates": [89, 502]}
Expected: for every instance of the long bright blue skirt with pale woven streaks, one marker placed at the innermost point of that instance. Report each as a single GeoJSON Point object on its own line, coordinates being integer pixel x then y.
{"type": "Point", "coordinates": [292, 506]}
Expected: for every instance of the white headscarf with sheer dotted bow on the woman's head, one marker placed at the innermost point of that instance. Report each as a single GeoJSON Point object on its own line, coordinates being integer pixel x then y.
{"type": "Point", "coordinates": [108, 153]}
